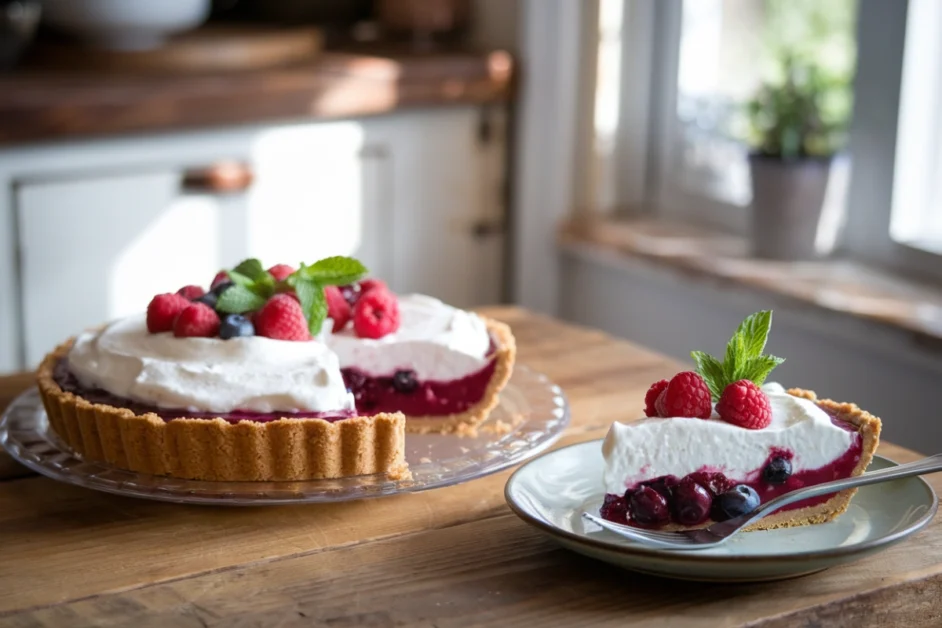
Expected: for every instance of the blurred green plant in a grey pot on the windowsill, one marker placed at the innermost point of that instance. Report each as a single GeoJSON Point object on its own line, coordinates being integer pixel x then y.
{"type": "Point", "coordinates": [797, 123]}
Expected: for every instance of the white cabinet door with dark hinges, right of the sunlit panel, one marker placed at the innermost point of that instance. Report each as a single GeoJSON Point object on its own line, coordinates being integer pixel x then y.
{"type": "Point", "coordinates": [447, 209]}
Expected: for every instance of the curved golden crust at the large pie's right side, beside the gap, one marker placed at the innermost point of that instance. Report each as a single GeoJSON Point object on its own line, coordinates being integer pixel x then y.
{"type": "Point", "coordinates": [505, 355]}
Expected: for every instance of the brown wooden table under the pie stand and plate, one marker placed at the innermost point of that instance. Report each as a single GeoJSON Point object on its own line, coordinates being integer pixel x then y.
{"type": "Point", "coordinates": [454, 556]}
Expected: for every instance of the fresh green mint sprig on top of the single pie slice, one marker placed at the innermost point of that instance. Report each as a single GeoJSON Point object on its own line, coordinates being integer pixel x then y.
{"type": "Point", "coordinates": [744, 357]}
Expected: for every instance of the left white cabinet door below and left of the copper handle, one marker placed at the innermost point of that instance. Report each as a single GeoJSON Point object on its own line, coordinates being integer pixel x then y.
{"type": "Point", "coordinates": [94, 249]}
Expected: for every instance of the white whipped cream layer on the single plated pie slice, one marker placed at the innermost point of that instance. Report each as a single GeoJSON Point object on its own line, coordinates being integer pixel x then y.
{"type": "Point", "coordinates": [654, 447]}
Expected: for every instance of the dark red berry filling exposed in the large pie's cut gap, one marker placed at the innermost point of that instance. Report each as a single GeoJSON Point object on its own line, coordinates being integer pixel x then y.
{"type": "Point", "coordinates": [404, 393]}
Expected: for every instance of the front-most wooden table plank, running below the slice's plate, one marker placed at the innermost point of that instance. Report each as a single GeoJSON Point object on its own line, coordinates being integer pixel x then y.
{"type": "Point", "coordinates": [499, 571]}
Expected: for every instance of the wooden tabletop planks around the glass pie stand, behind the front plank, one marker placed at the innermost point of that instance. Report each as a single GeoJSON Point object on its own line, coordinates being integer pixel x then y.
{"type": "Point", "coordinates": [46, 525]}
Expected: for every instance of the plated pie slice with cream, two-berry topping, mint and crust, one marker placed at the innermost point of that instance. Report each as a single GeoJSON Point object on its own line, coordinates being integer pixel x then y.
{"type": "Point", "coordinates": [718, 442]}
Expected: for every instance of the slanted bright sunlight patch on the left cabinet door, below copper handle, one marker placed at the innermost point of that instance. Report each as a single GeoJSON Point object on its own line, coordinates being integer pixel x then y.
{"type": "Point", "coordinates": [177, 248]}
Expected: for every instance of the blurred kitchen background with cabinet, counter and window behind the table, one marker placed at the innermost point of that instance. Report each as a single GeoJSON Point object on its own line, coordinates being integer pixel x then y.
{"type": "Point", "coordinates": [655, 168]}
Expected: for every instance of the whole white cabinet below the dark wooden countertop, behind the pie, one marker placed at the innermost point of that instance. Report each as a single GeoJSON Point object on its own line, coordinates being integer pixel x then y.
{"type": "Point", "coordinates": [417, 196]}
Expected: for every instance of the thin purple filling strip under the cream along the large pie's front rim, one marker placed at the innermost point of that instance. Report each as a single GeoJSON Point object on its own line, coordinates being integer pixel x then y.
{"type": "Point", "coordinates": [69, 383]}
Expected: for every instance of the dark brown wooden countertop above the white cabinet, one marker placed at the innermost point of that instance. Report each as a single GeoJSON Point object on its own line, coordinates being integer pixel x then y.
{"type": "Point", "coordinates": [45, 105]}
